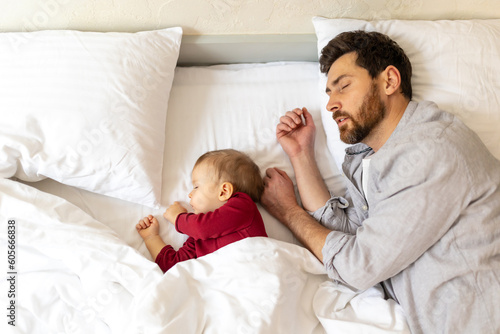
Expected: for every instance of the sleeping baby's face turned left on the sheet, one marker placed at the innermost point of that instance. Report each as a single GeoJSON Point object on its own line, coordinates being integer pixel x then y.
{"type": "Point", "coordinates": [205, 194]}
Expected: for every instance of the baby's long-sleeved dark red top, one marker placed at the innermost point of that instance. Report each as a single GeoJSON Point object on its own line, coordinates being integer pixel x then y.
{"type": "Point", "coordinates": [238, 219]}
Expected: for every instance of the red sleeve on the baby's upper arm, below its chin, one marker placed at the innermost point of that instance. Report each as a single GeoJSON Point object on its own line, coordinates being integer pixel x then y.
{"type": "Point", "coordinates": [235, 215]}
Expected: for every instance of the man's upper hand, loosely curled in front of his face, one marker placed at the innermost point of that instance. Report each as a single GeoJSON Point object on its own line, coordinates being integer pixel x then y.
{"type": "Point", "coordinates": [295, 135]}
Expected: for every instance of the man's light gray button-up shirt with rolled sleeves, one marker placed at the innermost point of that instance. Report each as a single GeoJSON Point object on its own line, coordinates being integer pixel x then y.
{"type": "Point", "coordinates": [430, 230]}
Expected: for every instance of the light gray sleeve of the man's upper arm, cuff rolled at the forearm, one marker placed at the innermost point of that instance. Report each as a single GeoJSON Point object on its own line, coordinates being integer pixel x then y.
{"type": "Point", "coordinates": [416, 201]}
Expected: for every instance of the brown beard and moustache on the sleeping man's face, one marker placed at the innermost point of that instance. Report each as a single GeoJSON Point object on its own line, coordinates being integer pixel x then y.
{"type": "Point", "coordinates": [371, 113]}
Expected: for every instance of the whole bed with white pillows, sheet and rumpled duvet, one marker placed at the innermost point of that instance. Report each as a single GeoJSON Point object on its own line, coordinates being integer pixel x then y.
{"type": "Point", "coordinates": [99, 130]}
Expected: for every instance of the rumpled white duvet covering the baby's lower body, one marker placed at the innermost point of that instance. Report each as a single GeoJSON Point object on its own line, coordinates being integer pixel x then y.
{"type": "Point", "coordinates": [74, 275]}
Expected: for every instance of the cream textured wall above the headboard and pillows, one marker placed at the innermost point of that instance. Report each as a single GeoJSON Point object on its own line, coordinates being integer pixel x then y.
{"type": "Point", "coordinates": [207, 17]}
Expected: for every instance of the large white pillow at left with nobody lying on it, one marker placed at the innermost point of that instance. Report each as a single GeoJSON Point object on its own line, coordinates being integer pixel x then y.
{"type": "Point", "coordinates": [87, 109]}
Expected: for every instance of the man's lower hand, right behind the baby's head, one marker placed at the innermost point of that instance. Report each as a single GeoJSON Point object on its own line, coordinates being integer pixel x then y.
{"type": "Point", "coordinates": [279, 195]}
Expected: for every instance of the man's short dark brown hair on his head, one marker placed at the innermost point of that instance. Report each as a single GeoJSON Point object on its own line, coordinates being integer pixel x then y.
{"type": "Point", "coordinates": [375, 52]}
